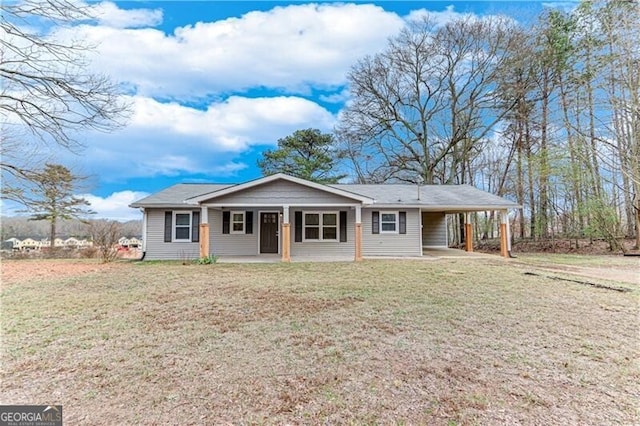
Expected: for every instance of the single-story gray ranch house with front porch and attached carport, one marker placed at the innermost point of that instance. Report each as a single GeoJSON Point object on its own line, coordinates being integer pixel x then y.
{"type": "Point", "coordinates": [291, 217]}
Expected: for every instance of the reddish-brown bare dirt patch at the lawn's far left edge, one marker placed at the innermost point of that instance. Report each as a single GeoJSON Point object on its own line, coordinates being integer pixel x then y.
{"type": "Point", "coordinates": [18, 271]}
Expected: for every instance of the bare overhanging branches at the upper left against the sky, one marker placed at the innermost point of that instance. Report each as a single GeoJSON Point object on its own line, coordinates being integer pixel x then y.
{"type": "Point", "coordinates": [48, 93]}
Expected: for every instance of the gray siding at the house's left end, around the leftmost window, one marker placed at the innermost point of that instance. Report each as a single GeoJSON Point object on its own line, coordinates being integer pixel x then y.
{"type": "Point", "coordinates": [157, 249]}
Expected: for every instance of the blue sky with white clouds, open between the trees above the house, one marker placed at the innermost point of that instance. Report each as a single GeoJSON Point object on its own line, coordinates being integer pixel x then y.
{"type": "Point", "coordinates": [212, 84]}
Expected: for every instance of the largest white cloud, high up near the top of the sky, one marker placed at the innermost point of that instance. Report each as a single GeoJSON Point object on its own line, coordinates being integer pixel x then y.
{"type": "Point", "coordinates": [291, 48]}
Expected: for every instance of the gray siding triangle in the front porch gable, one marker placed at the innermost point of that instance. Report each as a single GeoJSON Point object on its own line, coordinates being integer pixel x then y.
{"type": "Point", "coordinates": [281, 192]}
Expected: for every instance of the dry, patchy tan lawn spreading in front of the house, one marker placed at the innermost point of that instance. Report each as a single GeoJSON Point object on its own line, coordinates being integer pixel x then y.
{"type": "Point", "coordinates": [379, 342]}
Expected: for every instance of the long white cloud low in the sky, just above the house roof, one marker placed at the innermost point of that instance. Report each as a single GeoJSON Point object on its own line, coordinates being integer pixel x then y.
{"type": "Point", "coordinates": [170, 139]}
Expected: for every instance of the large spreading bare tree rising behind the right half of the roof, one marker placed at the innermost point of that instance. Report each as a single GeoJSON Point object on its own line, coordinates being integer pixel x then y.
{"type": "Point", "coordinates": [421, 107]}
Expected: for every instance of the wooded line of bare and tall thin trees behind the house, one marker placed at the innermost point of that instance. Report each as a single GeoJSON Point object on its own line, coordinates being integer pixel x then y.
{"type": "Point", "coordinates": [548, 115]}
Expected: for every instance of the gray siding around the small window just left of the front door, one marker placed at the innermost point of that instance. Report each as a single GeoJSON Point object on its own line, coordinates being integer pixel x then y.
{"type": "Point", "coordinates": [233, 244]}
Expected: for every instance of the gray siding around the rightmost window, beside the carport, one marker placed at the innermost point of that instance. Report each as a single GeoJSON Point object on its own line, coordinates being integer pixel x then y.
{"type": "Point", "coordinates": [392, 244]}
